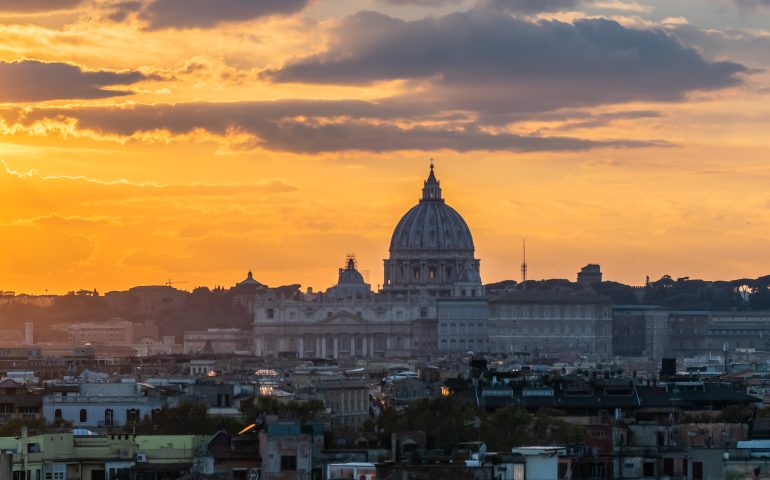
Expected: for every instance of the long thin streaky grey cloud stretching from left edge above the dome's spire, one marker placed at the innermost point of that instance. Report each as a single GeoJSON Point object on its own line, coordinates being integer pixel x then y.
{"type": "Point", "coordinates": [324, 126]}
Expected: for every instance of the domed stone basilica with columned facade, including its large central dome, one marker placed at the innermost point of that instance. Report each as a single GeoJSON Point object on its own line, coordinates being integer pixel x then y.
{"type": "Point", "coordinates": [431, 271]}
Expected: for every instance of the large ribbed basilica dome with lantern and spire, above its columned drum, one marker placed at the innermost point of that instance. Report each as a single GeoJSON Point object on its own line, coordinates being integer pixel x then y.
{"type": "Point", "coordinates": [431, 224]}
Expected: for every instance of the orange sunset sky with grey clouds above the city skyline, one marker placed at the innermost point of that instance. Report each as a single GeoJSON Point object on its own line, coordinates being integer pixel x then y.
{"type": "Point", "coordinates": [147, 141]}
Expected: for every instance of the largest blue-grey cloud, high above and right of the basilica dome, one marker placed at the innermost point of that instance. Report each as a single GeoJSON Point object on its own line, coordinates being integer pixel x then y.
{"type": "Point", "coordinates": [482, 61]}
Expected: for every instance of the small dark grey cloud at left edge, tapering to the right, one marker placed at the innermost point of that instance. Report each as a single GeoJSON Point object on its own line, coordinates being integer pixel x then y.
{"type": "Point", "coordinates": [32, 81]}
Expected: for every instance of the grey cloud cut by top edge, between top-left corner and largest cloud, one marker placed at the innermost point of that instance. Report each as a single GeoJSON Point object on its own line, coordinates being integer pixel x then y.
{"type": "Point", "coordinates": [159, 14]}
